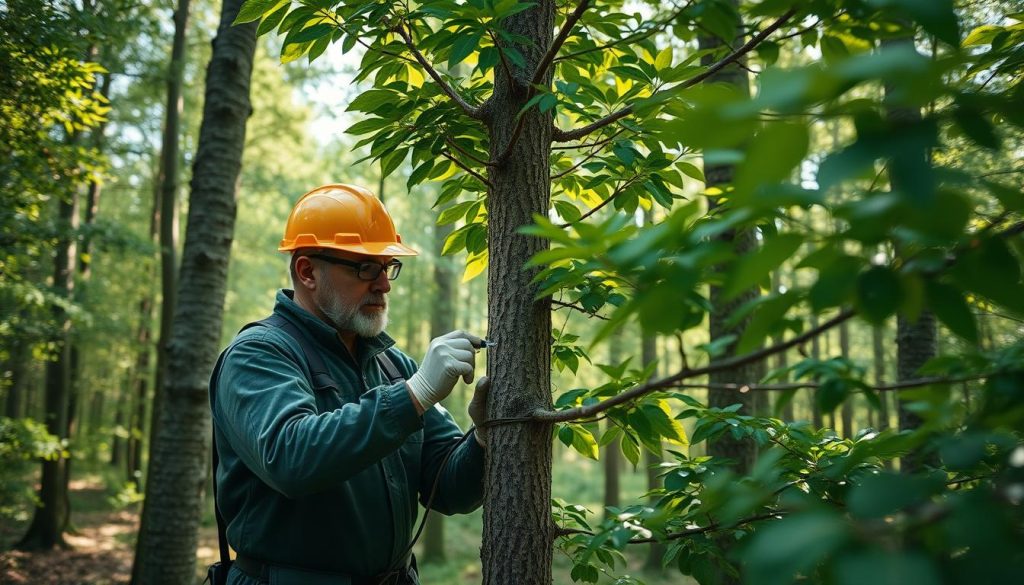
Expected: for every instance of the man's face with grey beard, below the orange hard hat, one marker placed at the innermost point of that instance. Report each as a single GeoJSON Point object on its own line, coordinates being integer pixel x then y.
{"type": "Point", "coordinates": [350, 303]}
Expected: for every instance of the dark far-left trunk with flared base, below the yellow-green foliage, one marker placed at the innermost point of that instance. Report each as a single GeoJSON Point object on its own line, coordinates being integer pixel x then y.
{"type": "Point", "coordinates": [46, 532]}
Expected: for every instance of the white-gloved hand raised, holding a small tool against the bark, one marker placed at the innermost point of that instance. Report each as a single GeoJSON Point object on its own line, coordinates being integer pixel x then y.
{"type": "Point", "coordinates": [449, 357]}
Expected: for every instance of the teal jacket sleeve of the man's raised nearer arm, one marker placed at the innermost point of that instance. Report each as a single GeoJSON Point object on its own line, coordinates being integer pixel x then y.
{"type": "Point", "coordinates": [267, 409]}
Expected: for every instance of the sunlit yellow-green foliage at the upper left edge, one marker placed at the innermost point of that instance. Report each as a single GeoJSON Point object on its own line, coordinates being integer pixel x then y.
{"type": "Point", "coordinates": [48, 100]}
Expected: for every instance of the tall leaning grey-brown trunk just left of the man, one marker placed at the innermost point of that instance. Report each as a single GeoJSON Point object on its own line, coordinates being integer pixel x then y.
{"type": "Point", "coordinates": [168, 537]}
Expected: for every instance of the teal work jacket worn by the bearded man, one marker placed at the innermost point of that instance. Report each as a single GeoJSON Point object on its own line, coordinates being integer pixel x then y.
{"type": "Point", "coordinates": [329, 481]}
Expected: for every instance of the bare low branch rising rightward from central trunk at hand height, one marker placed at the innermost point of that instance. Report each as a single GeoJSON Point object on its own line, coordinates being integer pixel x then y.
{"type": "Point", "coordinates": [687, 373]}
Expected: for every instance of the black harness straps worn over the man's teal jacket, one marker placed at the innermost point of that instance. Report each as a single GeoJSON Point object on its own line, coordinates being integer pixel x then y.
{"type": "Point", "coordinates": [320, 380]}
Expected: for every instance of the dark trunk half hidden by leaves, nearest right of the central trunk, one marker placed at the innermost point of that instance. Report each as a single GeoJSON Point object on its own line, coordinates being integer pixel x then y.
{"type": "Point", "coordinates": [743, 452]}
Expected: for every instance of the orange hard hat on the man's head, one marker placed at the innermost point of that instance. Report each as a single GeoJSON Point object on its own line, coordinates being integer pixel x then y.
{"type": "Point", "coordinates": [344, 218]}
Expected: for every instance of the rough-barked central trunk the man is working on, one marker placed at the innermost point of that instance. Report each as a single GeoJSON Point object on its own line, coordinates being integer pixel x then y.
{"type": "Point", "coordinates": [518, 527]}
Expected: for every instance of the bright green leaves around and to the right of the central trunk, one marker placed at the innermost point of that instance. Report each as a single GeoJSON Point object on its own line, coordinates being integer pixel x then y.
{"type": "Point", "coordinates": [916, 225]}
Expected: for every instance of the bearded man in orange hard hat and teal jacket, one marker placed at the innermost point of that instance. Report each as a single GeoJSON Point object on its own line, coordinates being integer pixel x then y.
{"type": "Point", "coordinates": [319, 477]}
